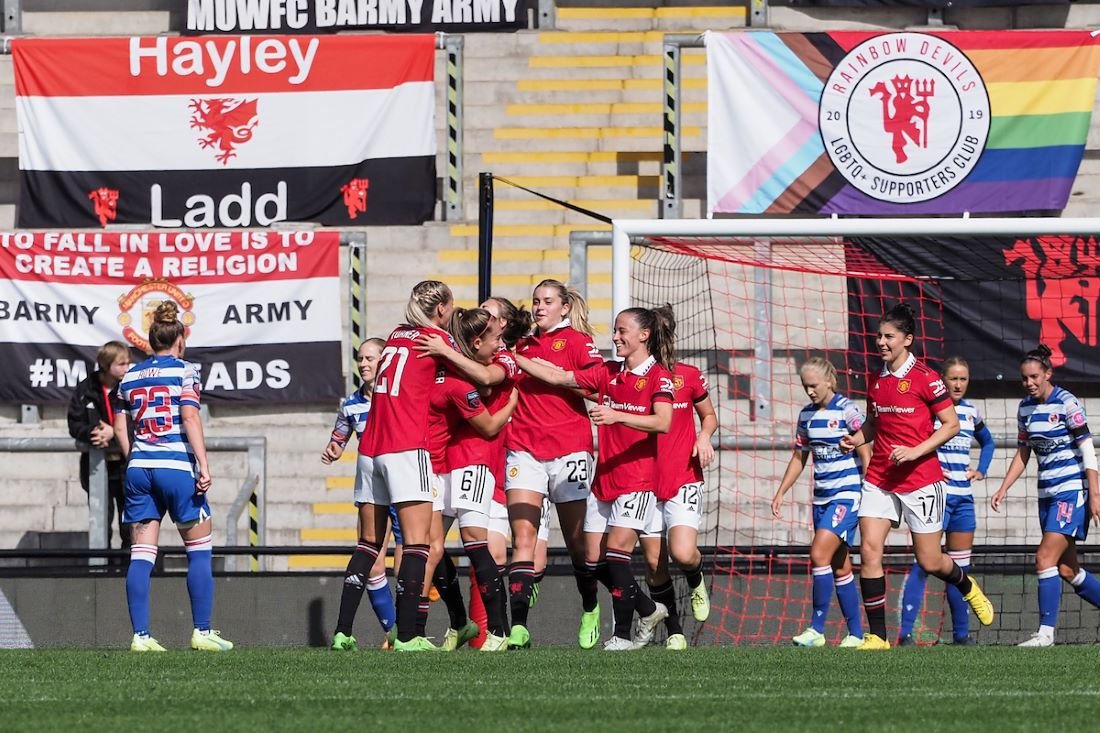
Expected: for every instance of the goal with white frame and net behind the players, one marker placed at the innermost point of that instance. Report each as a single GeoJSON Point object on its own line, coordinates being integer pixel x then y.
{"type": "Point", "coordinates": [756, 299]}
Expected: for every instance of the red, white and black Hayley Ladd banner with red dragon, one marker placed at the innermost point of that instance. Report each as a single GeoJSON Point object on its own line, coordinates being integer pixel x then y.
{"type": "Point", "coordinates": [226, 132]}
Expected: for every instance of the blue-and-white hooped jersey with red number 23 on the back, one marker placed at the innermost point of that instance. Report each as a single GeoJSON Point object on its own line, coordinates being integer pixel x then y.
{"type": "Point", "coordinates": [152, 393]}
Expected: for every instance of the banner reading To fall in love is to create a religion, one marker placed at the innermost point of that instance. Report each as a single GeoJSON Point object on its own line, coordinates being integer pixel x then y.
{"type": "Point", "coordinates": [262, 310]}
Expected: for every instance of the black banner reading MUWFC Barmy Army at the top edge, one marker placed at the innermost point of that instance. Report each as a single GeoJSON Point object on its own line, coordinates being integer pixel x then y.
{"type": "Point", "coordinates": [333, 16]}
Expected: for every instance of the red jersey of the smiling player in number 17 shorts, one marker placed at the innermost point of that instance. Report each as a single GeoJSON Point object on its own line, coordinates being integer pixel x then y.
{"type": "Point", "coordinates": [905, 404]}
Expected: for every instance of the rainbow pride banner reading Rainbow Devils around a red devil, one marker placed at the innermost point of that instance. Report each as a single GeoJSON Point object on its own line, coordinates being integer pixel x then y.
{"type": "Point", "coordinates": [897, 124]}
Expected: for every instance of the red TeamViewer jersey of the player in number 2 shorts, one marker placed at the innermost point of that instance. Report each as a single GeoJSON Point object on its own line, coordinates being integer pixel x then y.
{"type": "Point", "coordinates": [628, 461]}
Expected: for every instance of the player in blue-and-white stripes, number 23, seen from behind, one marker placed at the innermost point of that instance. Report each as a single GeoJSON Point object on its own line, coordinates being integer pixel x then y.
{"type": "Point", "coordinates": [168, 472]}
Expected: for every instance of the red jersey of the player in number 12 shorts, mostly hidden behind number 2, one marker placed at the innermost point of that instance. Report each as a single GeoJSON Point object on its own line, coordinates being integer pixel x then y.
{"type": "Point", "coordinates": [678, 466]}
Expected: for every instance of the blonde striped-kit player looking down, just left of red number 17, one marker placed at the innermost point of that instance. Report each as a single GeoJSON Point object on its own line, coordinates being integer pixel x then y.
{"type": "Point", "coordinates": [838, 485]}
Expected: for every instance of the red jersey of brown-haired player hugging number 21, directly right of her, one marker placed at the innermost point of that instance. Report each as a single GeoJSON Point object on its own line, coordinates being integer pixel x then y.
{"type": "Point", "coordinates": [453, 441]}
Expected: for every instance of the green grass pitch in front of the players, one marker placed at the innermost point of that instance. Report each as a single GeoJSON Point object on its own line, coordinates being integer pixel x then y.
{"type": "Point", "coordinates": [705, 690]}
